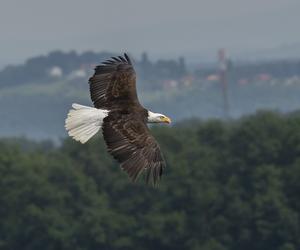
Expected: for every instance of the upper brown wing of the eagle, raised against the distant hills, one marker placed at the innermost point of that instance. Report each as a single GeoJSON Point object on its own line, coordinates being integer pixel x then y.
{"type": "Point", "coordinates": [113, 84]}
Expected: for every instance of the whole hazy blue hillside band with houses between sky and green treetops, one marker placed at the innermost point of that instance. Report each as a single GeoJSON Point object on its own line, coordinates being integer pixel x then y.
{"type": "Point", "coordinates": [35, 96]}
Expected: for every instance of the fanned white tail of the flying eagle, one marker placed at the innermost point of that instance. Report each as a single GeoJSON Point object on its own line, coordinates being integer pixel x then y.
{"type": "Point", "coordinates": [84, 122]}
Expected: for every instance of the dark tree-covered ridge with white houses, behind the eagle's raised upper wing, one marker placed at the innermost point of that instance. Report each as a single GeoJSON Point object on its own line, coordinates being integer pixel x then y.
{"type": "Point", "coordinates": [71, 65]}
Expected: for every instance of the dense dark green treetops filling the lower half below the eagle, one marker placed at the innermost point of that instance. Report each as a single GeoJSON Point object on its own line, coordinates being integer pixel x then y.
{"type": "Point", "coordinates": [228, 186]}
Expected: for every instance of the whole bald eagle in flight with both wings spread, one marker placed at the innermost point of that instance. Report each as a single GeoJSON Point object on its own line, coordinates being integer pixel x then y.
{"type": "Point", "coordinates": [123, 120]}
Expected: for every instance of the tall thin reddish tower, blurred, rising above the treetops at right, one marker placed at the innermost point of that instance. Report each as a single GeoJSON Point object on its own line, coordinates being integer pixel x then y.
{"type": "Point", "coordinates": [223, 80]}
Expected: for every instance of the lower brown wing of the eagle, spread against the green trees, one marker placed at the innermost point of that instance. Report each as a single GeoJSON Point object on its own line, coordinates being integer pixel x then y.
{"type": "Point", "coordinates": [129, 140]}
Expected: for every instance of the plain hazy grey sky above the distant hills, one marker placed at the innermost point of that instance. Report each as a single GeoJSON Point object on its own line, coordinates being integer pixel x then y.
{"type": "Point", "coordinates": [167, 28]}
